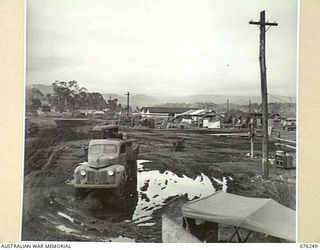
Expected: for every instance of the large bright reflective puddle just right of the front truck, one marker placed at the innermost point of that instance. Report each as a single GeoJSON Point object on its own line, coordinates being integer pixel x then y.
{"type": "Point", "coordinates": [154, 188]}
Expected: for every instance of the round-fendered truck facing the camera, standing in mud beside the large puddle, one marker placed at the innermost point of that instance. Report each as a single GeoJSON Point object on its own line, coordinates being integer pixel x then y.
{"type": "Point", "coordinates": [111, 163]}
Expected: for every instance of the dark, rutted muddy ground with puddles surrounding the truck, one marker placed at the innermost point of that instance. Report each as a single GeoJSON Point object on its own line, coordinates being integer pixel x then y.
{"type": "Point", "coordinates": [166, 180]}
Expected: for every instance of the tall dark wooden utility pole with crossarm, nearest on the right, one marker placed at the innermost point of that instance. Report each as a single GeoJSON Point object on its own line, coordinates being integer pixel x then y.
{"type": "Point", "coordinates": [264, 93]}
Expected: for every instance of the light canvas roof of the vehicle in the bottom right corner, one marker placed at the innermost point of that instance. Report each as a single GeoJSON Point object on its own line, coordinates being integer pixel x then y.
{"type": "Point", "coordinates": [256, 214]}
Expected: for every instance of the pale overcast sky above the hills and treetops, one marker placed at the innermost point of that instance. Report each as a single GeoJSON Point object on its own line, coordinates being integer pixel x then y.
{"type": "Point", "coordinates": [175, 47]}
